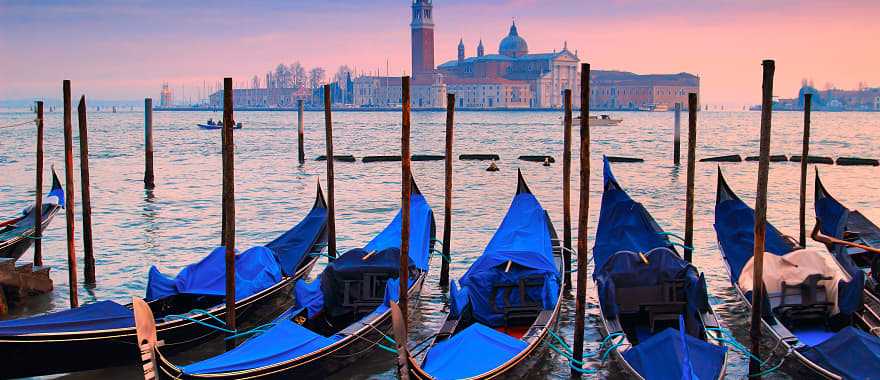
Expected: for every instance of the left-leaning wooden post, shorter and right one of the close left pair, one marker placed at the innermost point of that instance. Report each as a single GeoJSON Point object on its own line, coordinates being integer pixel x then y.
{"type": "Point", "coordinates": [88, 249]}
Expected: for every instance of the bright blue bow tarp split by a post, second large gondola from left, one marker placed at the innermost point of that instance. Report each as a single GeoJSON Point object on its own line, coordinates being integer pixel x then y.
{"type": "Point", "coordinates": [421, 222]}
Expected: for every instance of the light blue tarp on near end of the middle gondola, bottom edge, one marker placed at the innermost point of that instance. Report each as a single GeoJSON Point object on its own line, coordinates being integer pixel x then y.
{"type": "Point", "coordinates": [473, 351]}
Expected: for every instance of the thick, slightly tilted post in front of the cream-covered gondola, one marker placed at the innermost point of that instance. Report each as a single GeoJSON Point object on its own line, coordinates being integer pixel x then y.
{"type": "Point", "coordinates": [761, 217]}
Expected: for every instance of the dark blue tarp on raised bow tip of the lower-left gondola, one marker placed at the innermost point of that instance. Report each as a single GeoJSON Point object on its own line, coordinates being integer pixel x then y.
{"type": "Point", "coordinates": [291, 247]}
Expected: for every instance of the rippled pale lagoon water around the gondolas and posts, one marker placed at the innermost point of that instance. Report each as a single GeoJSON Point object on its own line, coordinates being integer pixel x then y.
{"type": "Point", "coordinates": [179, 222]}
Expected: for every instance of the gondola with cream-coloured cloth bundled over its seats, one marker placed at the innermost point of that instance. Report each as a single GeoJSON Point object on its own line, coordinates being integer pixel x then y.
{"type": "Point", "coordinates": [834, 336]}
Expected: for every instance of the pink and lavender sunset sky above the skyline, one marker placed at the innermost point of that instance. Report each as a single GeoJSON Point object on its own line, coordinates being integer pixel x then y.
{"type": "Point", "coordinates": [120, 51]}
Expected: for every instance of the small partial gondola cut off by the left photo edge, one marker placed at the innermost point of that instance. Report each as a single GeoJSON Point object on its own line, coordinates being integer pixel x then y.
{"type": "Point", "coordinates": [16, 234]}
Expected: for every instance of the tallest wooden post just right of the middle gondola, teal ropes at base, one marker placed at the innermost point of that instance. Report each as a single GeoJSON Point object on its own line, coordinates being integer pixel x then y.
{"type": "Point", "coordinates": [583, 216]}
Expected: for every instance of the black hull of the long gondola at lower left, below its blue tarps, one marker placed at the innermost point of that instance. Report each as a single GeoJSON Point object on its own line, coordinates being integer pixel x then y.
{"type": "Point", "coordinates": [44, 354]}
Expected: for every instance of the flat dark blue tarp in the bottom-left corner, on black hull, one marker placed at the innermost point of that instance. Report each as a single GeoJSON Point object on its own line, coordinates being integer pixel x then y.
{"type": "Point", "coordinates": [102, 315]}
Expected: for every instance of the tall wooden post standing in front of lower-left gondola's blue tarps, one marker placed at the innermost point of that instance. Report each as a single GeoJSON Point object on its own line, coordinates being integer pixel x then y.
{"type": "Point", "coordinates": [229, 204]}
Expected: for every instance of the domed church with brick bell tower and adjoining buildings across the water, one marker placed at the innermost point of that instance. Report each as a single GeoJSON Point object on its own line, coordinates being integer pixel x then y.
{"type": "Point", "coordinates": [512, 78]}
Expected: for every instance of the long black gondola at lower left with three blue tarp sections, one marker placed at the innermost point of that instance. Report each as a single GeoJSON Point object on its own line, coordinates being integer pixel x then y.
{"type": "Point", "coordinates": [102, 334]}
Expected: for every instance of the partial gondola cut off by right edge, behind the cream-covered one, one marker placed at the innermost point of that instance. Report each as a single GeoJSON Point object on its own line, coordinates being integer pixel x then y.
{"type": "Point", "coordinates": [837, 221]}
